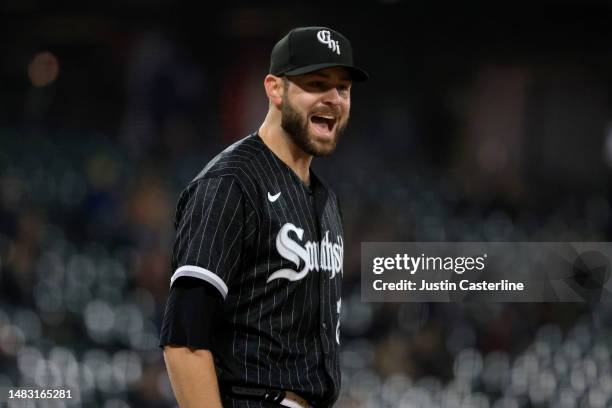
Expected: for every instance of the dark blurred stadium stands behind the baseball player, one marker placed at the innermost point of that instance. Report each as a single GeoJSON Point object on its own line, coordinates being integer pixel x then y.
{"type": "Point", "coordinates": [489, 123]}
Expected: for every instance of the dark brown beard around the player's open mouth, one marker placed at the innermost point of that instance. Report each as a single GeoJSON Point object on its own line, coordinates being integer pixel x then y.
{"type": "Point", "coordinates": [296, 126]}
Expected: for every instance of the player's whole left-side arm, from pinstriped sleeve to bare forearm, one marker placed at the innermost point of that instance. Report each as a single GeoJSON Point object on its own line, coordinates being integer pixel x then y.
{"type": "Point", "coordinates": [210, 222]}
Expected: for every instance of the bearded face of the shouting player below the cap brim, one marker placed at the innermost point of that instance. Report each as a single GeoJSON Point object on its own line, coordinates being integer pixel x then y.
{"type": "Point", "coordinates": [315, 109]}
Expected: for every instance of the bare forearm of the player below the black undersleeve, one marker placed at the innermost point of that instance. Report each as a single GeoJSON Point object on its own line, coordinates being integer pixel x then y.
{"type": "Point", "coordinates": [193, 377]}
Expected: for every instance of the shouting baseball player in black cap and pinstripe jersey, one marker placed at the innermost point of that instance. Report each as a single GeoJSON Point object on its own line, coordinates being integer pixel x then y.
{"type": "Point", "coordinates": [252, 318]}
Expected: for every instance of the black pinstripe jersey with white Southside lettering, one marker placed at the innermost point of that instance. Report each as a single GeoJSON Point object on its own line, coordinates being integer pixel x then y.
{"type": "Point", "coordinates": [273, 247]}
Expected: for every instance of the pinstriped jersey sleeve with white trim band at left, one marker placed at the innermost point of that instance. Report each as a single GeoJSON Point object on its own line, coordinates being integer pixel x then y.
{"type": "Point", "coordinates": [209, 225]}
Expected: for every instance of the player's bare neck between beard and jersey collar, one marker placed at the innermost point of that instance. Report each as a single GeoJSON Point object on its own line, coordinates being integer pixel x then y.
{"type": "Point", "coordinates": [281, 144]}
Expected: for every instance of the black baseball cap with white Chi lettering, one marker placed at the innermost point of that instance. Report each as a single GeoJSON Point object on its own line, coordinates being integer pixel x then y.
{"type": "Point", "coordinates": [309, 49]}
